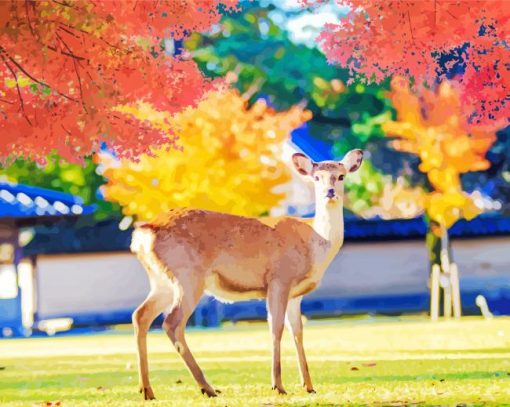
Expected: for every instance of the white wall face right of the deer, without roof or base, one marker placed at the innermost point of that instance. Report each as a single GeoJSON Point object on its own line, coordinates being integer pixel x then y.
{"type": "Point", "coordinates": [402, 267]}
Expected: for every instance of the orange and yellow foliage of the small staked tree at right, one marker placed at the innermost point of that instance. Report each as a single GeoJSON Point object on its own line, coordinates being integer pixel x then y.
{"type": "Point", "coordinates": [434, 125]}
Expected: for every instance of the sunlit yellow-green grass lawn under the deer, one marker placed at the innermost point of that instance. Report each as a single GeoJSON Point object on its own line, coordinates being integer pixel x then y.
{"type": "Point", "coordinates": [416, 363]}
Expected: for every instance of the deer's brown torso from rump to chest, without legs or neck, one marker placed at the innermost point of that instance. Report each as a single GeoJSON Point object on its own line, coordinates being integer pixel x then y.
{"type": "Point", "coordinates": [237, 254]}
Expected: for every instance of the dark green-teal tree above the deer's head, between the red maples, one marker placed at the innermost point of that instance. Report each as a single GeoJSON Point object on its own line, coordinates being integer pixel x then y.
{"type": "Point", "coordinates": [255, 47]}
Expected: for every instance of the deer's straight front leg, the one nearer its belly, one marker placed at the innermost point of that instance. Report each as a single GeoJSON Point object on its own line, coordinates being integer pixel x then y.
{"type": "Point", "coordinates": [277, 298]}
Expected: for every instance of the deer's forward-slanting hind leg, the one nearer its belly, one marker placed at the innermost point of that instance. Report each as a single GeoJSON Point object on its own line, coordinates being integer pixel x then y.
{"type": "Point", "coordinates": [189, 290]}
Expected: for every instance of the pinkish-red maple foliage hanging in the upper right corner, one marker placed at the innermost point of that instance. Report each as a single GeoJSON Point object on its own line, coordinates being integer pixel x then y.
{"type": "Point", "coordinates": [380, 38]}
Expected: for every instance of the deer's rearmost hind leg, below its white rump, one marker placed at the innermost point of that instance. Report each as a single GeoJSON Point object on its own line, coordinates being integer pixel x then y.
{"type": "Point", "coordinates": [143, 317]}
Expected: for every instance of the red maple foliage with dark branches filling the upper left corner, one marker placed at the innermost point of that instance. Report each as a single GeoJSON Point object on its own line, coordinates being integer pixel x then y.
{"type": "Point", "coordinates": [65, 66]}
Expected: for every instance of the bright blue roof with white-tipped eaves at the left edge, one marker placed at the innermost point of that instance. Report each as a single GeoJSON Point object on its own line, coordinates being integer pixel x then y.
{"type": "Point", "coordinates": [23, 201]}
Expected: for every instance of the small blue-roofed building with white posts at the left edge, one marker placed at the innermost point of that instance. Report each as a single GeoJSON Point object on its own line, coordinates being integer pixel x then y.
{"type": "Point", "coordinates": [23, 207]}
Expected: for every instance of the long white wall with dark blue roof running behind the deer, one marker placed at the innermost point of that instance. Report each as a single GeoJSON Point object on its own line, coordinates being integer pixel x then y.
{"type": "Point", "coordinates": [89, 275]}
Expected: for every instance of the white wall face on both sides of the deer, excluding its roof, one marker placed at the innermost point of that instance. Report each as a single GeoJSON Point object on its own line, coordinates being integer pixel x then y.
{"type": "Point", "coordinates": [116, 281]}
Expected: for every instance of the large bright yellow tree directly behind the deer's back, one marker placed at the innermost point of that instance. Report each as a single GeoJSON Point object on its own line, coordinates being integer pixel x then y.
{"type": "Point", "coordinates": [230, 159]}
